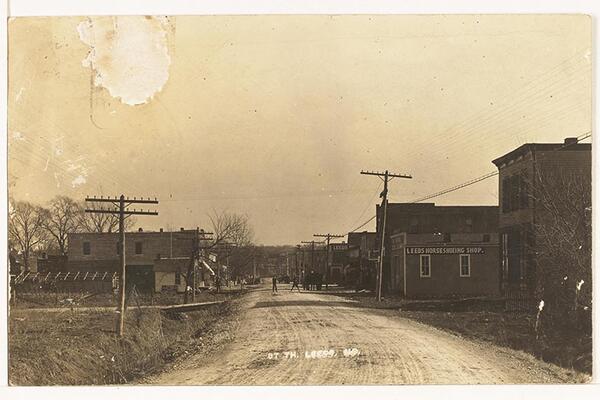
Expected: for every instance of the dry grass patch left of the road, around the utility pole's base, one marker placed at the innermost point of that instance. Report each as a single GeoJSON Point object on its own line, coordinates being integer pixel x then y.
{"type": "Point", "coordinates": [80, 347]}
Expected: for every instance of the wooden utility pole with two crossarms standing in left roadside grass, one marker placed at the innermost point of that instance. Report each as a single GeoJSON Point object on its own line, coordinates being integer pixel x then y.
{"type": "Point", "coordinates": [122, 203]}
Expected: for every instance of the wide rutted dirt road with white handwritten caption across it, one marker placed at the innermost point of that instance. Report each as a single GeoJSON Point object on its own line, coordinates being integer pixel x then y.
{"type": "Point", "coordinates": [279, 338]}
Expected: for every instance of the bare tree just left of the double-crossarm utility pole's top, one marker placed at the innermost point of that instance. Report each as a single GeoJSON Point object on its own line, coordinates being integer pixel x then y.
{"type": "Point", "coordinates": [63, 217]}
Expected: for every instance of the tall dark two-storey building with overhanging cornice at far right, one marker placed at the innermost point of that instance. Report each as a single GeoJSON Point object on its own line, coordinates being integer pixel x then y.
{"type": "Point", "coordinates": [532, 177]}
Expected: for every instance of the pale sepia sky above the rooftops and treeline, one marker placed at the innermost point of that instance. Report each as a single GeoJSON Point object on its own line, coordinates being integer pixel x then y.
{"type": "Point", "coordinates": [275, 116]}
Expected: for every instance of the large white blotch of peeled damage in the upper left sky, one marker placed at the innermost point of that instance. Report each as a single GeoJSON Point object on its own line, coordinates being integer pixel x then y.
{"type": "Point", "coordinates": [128, 54]}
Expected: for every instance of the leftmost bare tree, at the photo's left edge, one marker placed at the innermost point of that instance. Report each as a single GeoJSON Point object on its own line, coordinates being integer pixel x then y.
{"type": "Point", "coordinates": [26, 228]}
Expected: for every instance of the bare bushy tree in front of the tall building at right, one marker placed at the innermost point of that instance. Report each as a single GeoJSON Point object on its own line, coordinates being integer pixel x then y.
{"type": "Point", "coordinates": [563, 243]}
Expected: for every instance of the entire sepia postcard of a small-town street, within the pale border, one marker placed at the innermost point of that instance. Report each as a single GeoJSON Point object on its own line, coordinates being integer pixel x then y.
{"type": "Point", "coordinates": [300, 200]}
